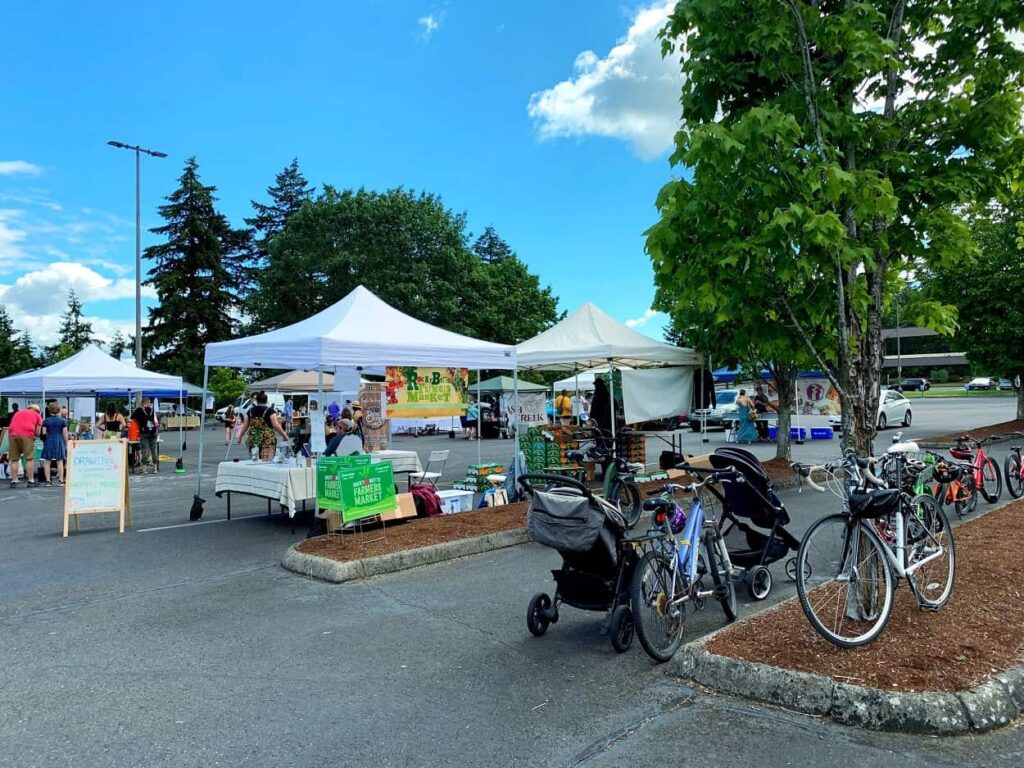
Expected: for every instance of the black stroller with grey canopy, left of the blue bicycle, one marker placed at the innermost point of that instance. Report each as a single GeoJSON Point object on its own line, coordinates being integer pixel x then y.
{"type": "Point", "coordinates": [598, 567]}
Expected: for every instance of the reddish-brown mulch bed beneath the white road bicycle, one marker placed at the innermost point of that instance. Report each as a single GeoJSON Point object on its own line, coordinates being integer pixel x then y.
{"type": "Point", "coordinates": [979, 632]}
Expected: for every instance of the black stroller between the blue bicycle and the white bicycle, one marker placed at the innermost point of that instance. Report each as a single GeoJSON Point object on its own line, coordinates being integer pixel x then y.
{"type": "Point", "coordinates": [763, 539]}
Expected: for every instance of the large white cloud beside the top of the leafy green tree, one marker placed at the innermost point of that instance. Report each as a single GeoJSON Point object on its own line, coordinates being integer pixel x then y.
{"type": "Point", "coordinates": [631, 95]}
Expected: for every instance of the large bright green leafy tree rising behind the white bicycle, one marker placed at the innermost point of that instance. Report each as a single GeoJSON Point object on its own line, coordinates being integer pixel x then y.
{"type": "Point", "coordinates": [836, 144]}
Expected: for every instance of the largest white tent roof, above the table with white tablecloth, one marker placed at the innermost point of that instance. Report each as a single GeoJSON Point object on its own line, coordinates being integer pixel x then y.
{"type": "Point", "coordinates": [360, 330]}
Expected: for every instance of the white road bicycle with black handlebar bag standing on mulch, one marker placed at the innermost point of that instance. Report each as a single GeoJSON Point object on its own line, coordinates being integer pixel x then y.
{"type": "Point", "coordinates": [847, 562]}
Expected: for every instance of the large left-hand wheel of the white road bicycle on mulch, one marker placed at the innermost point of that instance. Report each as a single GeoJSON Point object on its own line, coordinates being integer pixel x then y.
{"type": "Point", "coordinates": [848, 595]}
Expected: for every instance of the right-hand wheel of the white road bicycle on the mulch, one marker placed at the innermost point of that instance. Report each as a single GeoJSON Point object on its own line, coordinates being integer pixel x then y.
{"type": "Point", "coordinates": [930, 536]}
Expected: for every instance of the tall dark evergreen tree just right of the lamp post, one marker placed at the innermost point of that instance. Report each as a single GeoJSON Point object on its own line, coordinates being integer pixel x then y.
{"type": "Point", "coordinates": [197, 274]}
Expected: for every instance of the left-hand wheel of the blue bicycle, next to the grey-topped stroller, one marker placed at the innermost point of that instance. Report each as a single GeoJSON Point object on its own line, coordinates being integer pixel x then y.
{"type": "Point", "coordinates": [658, 620]}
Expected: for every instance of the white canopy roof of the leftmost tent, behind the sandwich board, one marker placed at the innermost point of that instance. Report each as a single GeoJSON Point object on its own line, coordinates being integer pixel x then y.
{"type": "Point", "coordinates": [86, 373]}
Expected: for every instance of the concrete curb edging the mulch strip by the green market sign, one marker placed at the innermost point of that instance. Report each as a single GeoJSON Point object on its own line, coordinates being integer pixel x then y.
{"type": "Point", "coordinates": [327, 570]}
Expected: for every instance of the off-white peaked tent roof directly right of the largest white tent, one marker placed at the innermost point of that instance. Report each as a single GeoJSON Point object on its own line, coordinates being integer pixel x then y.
{"type": "Point", "coordinates": [589, 337]}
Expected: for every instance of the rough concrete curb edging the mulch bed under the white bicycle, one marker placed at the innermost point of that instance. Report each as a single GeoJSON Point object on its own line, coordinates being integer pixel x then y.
{"type": "Point", "coordinates": [994, 704]}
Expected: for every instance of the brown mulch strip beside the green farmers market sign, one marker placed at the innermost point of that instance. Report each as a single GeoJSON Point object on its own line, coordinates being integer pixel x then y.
{"type": "Point", "coordinates": [419, 533]}
